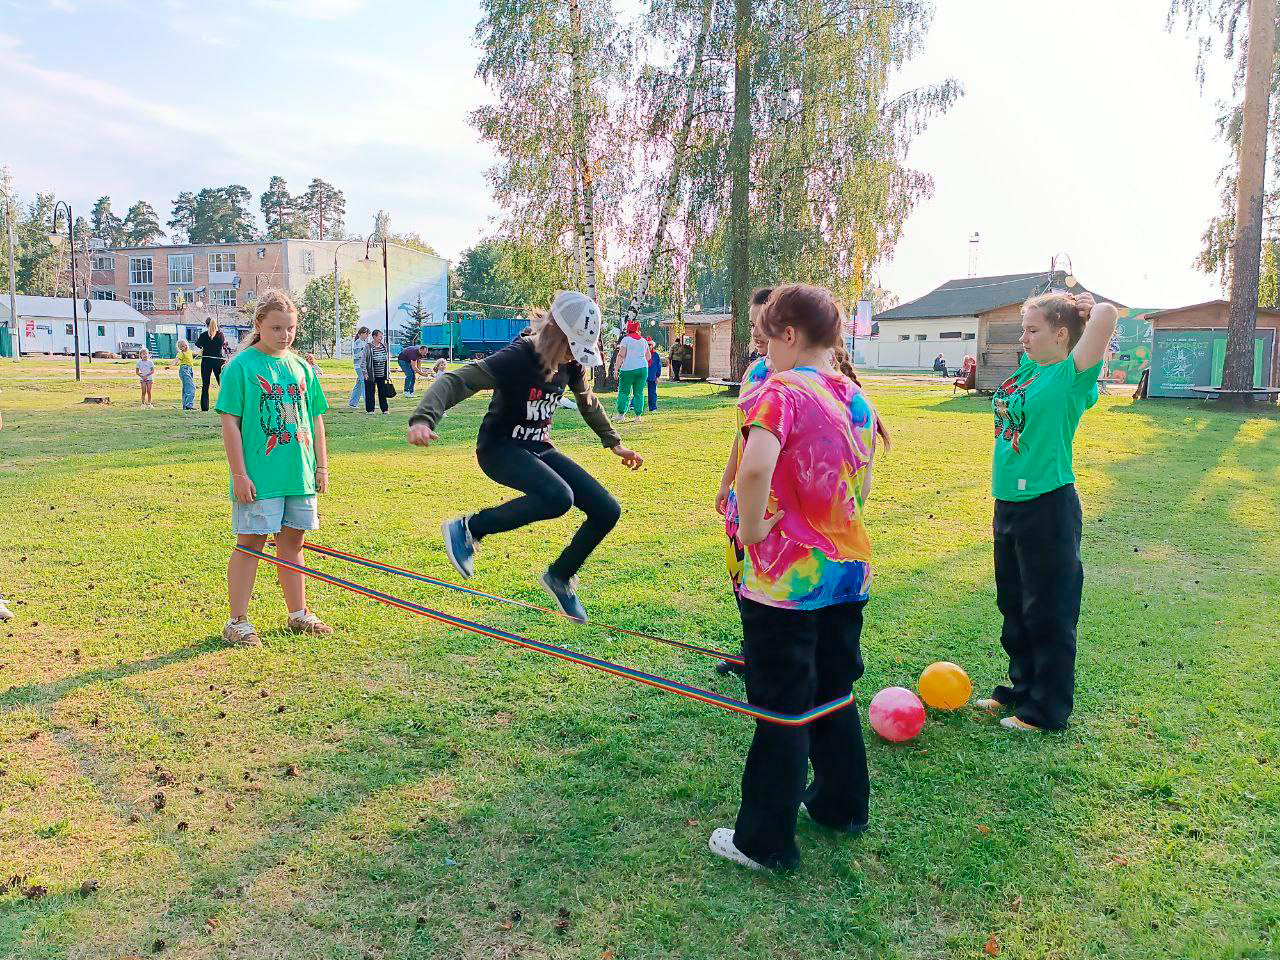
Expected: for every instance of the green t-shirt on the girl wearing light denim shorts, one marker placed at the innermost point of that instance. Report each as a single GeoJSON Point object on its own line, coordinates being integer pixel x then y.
{"type": "Point", "coordinates": [277, 400]}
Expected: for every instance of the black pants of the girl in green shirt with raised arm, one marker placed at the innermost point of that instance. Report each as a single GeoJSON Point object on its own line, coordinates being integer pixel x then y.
{"type": "Point", "coordinates": [1039, 583]}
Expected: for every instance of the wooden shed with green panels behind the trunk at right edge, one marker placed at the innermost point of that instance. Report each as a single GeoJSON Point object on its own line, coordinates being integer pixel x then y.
{"type": "Point", "coordinates": [1188, 348]}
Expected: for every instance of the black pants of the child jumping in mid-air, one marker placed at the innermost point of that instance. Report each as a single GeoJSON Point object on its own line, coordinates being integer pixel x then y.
{"type": "Point", "coordinates": [552, 484]}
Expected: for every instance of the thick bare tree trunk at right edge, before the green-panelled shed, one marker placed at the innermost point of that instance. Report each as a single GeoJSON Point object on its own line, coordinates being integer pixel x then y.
{"type": "Point", "coordinates": [1238, 369]}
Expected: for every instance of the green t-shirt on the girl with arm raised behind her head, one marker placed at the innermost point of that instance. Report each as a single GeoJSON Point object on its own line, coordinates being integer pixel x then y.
{"type": "Point", "coordinates": [1037, 412]}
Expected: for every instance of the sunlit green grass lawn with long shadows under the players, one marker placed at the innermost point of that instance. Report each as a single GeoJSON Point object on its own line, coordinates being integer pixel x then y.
{"type": "Point", "coordinates": [456, 798]}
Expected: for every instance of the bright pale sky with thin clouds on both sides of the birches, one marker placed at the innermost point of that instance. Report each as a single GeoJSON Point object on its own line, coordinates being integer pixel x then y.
{"type": "Point", "coordinates": [1082, 131]}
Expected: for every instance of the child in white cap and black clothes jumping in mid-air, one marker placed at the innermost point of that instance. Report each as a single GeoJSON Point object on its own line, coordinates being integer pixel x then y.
{"type": "Point", "coordinates": [514, 447]}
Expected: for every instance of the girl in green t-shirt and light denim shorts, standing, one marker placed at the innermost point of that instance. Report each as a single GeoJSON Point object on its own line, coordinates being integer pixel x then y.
{"type": "Point", "coordinates": [273, 432]}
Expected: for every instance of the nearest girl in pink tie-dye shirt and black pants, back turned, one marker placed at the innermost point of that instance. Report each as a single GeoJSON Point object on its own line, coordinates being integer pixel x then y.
{"type": "Point", "coordinates": [810, 444]}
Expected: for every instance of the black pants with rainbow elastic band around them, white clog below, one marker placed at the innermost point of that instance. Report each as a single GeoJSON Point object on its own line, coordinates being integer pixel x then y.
{"type": "Point", "coordinates": [797, 660]}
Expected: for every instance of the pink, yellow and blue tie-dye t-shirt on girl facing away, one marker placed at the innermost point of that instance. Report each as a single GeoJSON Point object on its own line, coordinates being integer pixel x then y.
{"type": "Point", "coordinates": [820, 555]}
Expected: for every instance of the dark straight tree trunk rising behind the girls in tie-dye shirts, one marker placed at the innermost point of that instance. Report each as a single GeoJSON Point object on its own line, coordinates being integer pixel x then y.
{"type": "Point", "coordinates": [740, 189]}
